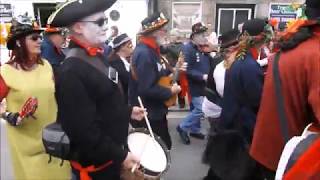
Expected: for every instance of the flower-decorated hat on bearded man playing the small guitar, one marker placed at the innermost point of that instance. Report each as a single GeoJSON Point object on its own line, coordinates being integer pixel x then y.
{"type": "Point", "coordinates": [154, 22]}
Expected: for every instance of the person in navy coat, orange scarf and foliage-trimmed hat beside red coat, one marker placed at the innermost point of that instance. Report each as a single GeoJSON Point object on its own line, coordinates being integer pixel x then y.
{"type": "Point", "coordinates": [243, 85]}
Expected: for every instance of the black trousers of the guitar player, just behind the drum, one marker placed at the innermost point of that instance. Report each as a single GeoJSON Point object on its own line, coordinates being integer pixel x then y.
{"type": "Point", "coordinates": [159, 127]}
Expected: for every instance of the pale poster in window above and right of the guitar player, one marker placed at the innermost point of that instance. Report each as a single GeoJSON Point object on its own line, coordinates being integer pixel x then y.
{"type": "Point", "coordinates": [185, 14]}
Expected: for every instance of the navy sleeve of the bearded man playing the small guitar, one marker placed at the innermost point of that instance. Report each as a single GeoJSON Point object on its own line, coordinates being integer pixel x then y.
{"type": "Point", "coordinates": [148, 79]}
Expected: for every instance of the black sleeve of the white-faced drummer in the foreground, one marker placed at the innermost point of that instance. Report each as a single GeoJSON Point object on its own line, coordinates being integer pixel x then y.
{"type": "Point", "coordinates": [79, 120]}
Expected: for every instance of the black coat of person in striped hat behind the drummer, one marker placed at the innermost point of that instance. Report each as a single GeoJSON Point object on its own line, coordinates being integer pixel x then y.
{"type": "Point", "coordinates": [116, 62]}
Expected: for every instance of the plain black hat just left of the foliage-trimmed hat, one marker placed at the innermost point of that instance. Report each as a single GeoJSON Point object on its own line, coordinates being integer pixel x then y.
{"type": "Point", "coordinates": [229, 38]}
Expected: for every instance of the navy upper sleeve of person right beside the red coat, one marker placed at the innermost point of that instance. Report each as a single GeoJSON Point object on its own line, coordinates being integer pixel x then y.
{"type": "Point", "coordinates": [252, 78]}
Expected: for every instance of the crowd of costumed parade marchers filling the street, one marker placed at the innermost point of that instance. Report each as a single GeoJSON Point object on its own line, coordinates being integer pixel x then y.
{"type": "Point", "coordinates": [90, 84]}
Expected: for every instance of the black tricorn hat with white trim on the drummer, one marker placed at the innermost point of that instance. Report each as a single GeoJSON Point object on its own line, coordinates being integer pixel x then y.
{"type": "Point", "coordinates": [75, 10]}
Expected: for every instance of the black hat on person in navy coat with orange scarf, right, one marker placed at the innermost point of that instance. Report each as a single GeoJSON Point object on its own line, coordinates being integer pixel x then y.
{"type": "Point", "coordinates": [254, 27]}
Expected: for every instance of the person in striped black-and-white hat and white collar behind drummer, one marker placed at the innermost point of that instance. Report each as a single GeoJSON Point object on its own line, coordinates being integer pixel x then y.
{"type": "Point", "coordinates": [122, 50]}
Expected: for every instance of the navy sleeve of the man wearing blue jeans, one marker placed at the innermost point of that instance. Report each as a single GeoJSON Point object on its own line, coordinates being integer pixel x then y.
{"type": "Point", "coordinates": [190, 59]}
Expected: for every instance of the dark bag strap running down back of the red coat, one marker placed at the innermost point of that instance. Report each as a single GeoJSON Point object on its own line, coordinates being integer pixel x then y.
{"type": "Point", "coordinates": [279, 98]}
